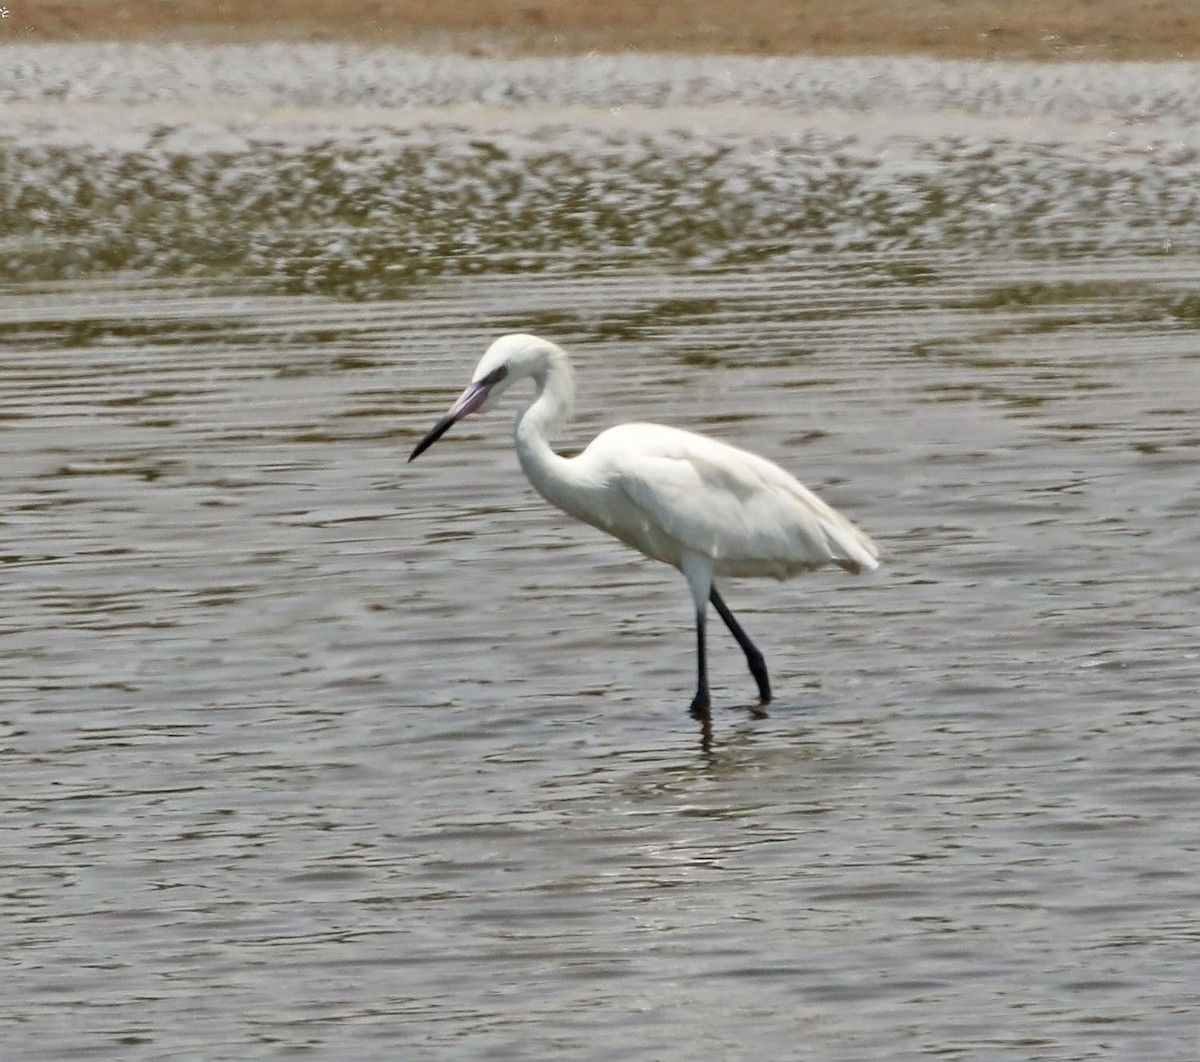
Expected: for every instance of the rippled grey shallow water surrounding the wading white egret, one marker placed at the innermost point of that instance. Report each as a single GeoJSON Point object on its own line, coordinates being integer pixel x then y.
{"type": "Point", "coordinates": [309, 752]}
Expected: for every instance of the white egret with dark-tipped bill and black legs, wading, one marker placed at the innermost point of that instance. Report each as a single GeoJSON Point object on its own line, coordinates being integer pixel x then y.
{"type": "Point", "coordinates": [700, 506]}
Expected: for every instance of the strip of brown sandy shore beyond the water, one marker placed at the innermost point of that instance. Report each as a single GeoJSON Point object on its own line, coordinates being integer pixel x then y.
{"type": "Point", "coordinates": [973, 29]}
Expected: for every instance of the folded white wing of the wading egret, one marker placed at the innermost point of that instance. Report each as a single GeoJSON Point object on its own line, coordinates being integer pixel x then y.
{"type": "Point", "coordinates": [741, 511]}
